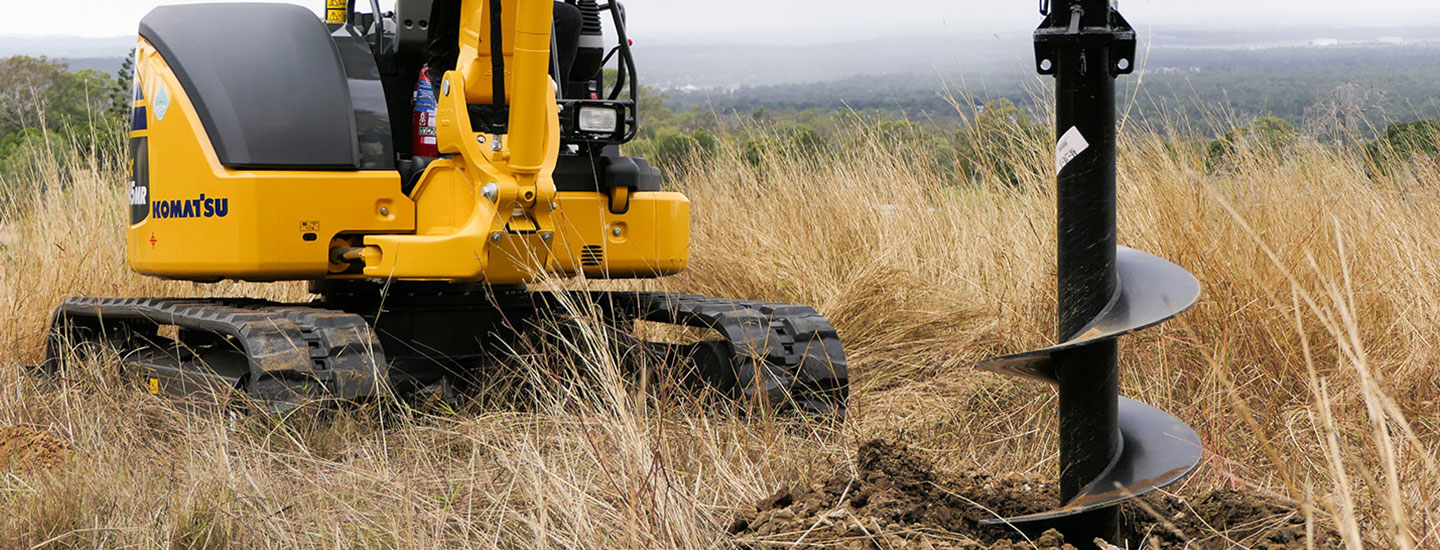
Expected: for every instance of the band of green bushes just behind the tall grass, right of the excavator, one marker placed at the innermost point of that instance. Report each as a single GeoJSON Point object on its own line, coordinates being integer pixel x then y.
{"type": "Point", "coordinates": [994, 142]}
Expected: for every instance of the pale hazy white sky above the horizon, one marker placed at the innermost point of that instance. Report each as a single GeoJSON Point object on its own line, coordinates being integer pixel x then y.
{"type": "Point", "coordinates": [806, 21]}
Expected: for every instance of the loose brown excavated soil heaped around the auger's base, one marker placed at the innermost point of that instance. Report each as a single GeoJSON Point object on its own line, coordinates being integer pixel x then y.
{"type": "Point", "coordinates": [898, 502]}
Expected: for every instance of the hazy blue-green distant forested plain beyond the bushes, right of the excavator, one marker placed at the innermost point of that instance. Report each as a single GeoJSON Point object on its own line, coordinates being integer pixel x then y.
{"type": "Point", "coordinates": [1341, 94]}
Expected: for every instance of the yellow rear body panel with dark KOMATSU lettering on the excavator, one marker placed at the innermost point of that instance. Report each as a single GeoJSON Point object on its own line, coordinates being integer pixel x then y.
{"type": "Point", "coordinates": [194, 218]}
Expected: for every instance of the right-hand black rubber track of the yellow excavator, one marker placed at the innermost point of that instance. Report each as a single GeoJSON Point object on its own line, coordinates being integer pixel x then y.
{"type": "Point", "coordinates": [786, 355]}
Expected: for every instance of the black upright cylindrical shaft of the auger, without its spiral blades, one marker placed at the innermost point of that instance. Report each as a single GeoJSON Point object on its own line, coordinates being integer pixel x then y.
{"type": "Point", "coordinates": [1089, 377]}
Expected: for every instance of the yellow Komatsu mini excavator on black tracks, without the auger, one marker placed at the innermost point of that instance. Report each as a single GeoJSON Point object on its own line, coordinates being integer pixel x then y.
{"type": "Point", "coordinates": [271, 145]}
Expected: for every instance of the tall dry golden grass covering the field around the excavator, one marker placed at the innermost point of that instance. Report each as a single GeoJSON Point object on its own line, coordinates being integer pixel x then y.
{"type": "Point", "coordinates": [1310, 368]}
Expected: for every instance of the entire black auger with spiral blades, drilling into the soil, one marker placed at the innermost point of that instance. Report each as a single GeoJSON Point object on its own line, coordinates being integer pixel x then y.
{"type": "Point", "coordinates": [1111, 448]}
